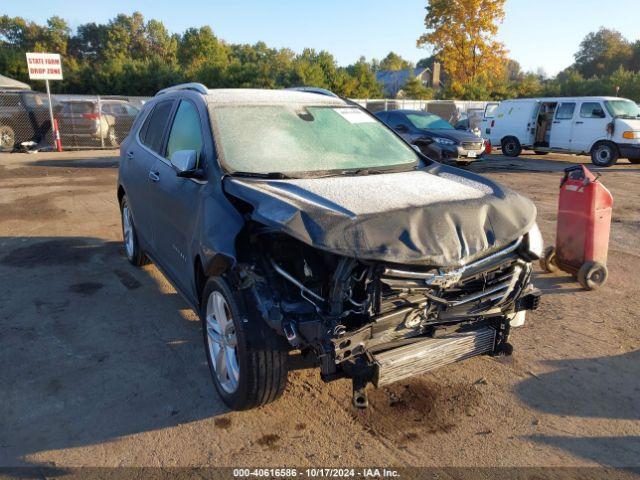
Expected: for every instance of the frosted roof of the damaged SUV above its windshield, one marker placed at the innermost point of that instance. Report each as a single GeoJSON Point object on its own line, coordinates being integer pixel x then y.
{"type": "Point", "coordinates": [255, 96]}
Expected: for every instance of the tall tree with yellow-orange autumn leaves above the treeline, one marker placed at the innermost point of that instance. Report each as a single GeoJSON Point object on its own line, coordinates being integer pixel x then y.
{"type": "Point", "coordinates": [462, 35]}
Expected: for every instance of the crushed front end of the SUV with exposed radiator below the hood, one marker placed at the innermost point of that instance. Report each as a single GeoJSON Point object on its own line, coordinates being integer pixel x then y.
{"type": "Point", "coordinates": [379, 322]}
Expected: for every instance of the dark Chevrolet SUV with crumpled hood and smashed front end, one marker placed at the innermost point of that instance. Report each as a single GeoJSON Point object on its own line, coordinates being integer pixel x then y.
{"type": "Point", "coordinates": [300, 227]}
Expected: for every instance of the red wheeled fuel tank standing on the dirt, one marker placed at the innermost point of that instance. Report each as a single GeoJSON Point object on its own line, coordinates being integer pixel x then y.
{"type": "Point", "coordinates": [584, 223]}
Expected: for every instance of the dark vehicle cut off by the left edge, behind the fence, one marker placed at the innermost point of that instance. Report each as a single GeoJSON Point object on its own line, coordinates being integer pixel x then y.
{"type": "Point", "coordinates": [24, 117]}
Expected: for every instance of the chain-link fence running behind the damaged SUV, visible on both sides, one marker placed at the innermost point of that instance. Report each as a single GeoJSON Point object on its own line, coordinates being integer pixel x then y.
{"type": "Point", "coordinates": [103, 121]}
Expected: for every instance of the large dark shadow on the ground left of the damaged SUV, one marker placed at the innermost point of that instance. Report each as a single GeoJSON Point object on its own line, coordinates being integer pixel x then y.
{"type": "Point", "coordinates": [92, 350]}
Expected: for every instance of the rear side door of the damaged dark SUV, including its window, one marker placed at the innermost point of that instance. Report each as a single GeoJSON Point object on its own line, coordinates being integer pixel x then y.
{"type": "Point", "coordinates": [137, 172]}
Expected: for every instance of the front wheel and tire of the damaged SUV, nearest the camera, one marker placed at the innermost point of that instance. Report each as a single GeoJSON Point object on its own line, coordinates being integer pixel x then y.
{"type": "Point", "coordinates": [247, 359]}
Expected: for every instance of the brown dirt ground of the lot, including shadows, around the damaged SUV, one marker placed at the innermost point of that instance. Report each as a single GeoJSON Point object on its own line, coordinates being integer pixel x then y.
{"type": "Point", "coordinates": [103, 364]}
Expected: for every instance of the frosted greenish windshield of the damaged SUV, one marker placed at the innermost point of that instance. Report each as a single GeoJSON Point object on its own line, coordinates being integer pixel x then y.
{"type": "Point", "coordinates": [290, 138]}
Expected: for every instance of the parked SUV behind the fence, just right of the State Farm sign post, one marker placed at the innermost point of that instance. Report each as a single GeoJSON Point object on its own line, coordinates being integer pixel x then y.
{"type": "Point", "coordinates": [92, 122]}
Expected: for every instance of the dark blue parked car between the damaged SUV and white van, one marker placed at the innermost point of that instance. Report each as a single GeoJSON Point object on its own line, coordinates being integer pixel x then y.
{"type": "Point", "coordinates": [434, 136]}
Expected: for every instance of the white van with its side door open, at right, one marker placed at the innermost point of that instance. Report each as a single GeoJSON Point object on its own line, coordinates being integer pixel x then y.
{"type": "Point", "coordinates": [607, 128]}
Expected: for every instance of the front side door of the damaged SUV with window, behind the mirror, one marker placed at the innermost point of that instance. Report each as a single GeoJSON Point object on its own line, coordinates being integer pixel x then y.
{"type": "Point", "coordinates": [176, 199]}
